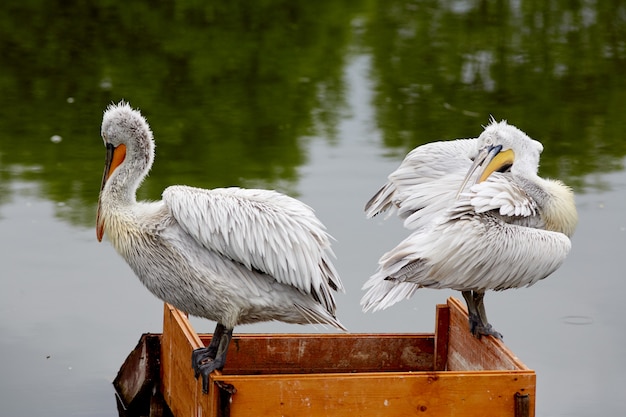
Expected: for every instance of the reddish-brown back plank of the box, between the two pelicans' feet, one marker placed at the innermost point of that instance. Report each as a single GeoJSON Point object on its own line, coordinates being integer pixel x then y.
{"type": "Point", "coordinates": [327, 353]}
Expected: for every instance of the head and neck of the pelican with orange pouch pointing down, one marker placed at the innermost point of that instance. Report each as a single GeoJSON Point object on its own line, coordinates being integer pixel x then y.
{"type": "Point", "coordinates": [129, 156]}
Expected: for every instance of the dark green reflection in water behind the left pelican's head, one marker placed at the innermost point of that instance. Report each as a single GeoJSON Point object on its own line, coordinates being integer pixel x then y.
{"type": "Point", "coordinates": [229, 88]}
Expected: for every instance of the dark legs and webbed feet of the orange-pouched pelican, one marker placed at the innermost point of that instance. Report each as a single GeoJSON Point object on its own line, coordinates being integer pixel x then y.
{"type": "Point", "coordinates": [213, 356]}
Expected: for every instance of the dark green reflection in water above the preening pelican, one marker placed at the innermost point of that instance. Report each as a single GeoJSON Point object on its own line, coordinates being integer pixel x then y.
{"type": "Point", "coordinates": [550, 67]}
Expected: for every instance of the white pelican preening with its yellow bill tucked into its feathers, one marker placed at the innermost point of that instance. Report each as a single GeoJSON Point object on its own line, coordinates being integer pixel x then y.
{"type": "Point", "coordinates": [481, 219]}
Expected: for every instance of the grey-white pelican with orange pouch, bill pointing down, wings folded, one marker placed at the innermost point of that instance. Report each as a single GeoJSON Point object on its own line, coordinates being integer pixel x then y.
{"type": "Point", "coordinates": [231, 255]}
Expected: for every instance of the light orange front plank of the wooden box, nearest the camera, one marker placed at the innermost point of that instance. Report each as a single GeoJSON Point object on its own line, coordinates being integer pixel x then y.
{"type": "Point", "coordinates": [484, 394]}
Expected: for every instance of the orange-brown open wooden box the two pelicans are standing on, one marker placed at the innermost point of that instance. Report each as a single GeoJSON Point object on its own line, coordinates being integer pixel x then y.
{"type": "Point", "coordinates": [448, 373]}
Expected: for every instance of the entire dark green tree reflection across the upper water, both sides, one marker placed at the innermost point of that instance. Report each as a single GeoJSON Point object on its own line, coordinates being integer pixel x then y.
{"type": "Point", "coordinates": [233, 89]}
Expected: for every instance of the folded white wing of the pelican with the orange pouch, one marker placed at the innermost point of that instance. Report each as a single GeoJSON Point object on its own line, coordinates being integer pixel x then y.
{"type": "Point", "coordinates": [263, 230]}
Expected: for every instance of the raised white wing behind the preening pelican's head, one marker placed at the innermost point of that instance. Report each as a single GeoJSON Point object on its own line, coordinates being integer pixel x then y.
{"type": "Point", "coordinates": [428, 178]}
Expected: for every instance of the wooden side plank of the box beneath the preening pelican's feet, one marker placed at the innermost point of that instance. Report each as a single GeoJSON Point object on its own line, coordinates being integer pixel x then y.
{"type": "Point", "coordinates": [467, 353]}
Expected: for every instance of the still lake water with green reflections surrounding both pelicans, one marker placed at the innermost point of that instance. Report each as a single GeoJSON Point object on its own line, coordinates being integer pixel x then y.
{"type": "Point", "coordinates": [321, 104]}
